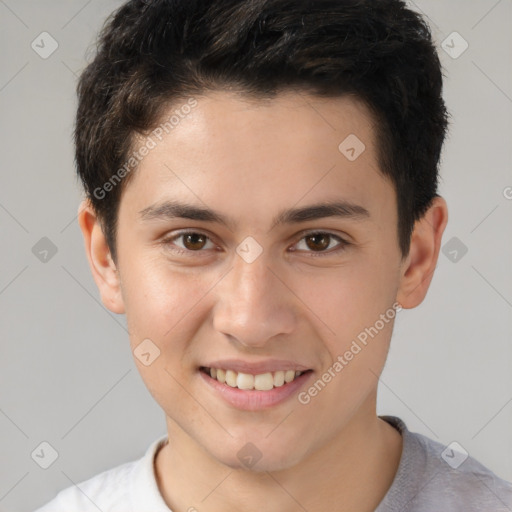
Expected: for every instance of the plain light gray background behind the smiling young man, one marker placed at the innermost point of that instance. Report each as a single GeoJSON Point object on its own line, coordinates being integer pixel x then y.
{"type": "Point", "coordinates": [66, 372]}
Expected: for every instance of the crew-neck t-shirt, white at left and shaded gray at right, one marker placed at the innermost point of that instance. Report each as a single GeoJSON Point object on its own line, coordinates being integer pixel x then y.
{"type": "Point", "coordinates": [424, 482]}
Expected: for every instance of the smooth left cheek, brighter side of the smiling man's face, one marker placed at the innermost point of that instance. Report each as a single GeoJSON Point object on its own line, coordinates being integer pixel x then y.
{"type": "Point", "coordinates": [165, 308]}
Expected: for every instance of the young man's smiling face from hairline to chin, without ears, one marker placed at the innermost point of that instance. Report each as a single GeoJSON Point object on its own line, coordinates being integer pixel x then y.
{"type": "Point", "coordinates": [268, 286]}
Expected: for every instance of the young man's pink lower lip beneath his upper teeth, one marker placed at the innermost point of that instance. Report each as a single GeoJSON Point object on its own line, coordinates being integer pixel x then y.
{"type": "Point", "coordinates": [254, 400]}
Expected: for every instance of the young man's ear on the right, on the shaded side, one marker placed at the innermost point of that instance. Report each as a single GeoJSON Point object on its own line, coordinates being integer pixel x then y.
{"type": "Point", "coordinates": [418, 268]}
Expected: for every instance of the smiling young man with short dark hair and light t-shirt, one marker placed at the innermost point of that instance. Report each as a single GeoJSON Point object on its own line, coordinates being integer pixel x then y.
{"type": "Point", "coordinates": [261, 183]}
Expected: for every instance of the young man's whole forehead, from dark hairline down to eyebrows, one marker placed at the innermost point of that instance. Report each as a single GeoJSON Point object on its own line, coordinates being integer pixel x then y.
{"type": "Point", "coordinates": [247, 155]}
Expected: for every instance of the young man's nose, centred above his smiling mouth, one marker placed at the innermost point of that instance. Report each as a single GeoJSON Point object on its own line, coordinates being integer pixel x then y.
{"type": "Point", "coordinates": [254, 305]}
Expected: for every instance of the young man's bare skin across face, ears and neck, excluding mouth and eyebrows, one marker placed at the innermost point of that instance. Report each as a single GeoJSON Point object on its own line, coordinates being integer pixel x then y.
{"type": "Point", "coordinates": [250, 160]}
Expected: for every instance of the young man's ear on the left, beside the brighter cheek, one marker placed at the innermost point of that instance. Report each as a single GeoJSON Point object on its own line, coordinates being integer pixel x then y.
{"type": "Point", "coordinates": [103, 268]}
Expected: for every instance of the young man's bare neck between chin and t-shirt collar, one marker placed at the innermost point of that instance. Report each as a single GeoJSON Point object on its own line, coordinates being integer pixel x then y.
{"type": "Point", "coordinates": [353, 471]}
